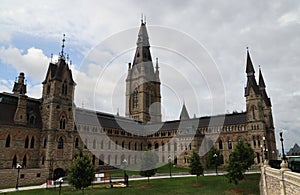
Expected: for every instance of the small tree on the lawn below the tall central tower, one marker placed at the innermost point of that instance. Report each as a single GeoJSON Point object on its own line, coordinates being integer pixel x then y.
{"type": "Point", "coordinates": [148, 166]}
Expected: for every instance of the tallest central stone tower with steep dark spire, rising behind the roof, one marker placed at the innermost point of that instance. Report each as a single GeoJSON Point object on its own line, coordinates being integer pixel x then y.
{"type": "Point", "coordinates": [143, 99]}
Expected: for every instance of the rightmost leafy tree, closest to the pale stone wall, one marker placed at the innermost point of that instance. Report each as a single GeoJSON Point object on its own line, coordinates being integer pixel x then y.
{"type": "Point", "coordinates": [239, 161]}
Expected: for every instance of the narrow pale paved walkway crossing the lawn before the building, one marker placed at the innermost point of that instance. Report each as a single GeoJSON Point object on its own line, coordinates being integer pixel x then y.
{"type": "Point", "coordinates": [115, 180]}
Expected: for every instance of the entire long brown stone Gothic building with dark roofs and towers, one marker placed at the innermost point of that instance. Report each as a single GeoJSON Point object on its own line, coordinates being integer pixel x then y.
{"type": "Point", "coordinates": [43, 134]}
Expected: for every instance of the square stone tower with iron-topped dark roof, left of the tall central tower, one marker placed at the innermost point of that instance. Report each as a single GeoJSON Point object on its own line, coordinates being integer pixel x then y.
{"type": "Point", "coordinates": [57, 112]}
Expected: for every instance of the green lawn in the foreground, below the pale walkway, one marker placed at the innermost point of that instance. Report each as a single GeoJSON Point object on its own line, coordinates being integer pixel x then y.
{"type": "Point", "coordinates": [208, 185]}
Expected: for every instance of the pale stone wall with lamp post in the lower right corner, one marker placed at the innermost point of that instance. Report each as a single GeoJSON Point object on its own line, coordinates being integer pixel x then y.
{"type": "Point", "coordinates": [279, 181]}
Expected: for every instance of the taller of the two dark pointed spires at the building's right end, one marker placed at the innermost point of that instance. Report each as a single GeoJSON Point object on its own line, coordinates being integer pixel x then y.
{"type": "Point", "coordinates": [251, 82]}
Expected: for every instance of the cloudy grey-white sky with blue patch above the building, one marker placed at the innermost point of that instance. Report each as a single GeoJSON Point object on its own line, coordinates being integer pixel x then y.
{"type": "Point", "coordinates": [201, 46]}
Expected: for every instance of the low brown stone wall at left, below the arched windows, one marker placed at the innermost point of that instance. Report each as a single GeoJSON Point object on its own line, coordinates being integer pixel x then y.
{"type": "Point", "coordinates": [27, 176]}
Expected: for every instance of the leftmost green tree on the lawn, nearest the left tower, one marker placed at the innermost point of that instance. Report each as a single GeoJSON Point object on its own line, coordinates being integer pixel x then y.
{"type": "Point", "coordinates": [81, 172]}
